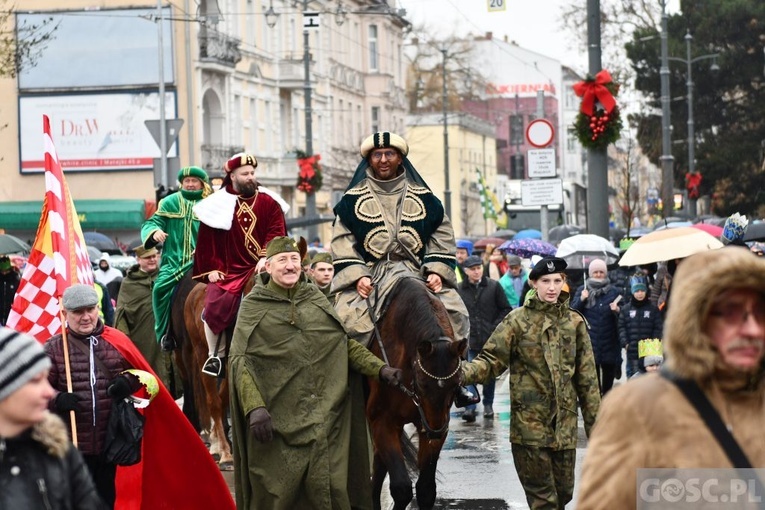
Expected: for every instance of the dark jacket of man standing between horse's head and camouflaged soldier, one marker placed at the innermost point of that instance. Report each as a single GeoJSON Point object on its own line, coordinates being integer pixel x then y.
{"type": "Point", "coordinates": [487, 305]}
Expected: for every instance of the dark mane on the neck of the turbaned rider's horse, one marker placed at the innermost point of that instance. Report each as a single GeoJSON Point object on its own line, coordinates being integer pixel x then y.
{"type": "Point", "coordinates": [419, 313]}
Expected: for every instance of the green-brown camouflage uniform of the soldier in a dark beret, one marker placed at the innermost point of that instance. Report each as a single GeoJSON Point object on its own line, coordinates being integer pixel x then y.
{"type": "Point", "coordinates": [547, 350]}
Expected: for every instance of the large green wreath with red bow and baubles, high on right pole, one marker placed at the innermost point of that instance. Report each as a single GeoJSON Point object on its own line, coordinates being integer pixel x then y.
{"type": "Point", "coordinates": [598, 123]}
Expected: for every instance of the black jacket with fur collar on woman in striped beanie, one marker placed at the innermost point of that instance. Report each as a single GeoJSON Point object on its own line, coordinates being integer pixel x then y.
{"type": "Point", "coordinates": [41, 469]}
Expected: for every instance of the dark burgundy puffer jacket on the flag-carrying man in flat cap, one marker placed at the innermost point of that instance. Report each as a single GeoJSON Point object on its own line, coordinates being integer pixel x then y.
{"type": "Point", "coordinates": [90, 439]}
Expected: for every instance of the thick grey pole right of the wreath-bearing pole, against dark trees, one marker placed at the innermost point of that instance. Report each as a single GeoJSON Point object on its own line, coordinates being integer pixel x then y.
{"type": "Point", "coordinates": [667, 160]}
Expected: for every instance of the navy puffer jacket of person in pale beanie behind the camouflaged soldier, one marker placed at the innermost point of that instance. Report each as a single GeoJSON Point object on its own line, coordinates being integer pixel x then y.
{"type": "Point", "coordinates": [603, 325]}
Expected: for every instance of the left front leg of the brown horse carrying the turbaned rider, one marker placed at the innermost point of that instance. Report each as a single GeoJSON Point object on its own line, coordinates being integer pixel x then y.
{"type": "Point", "coordinates": [387, 440]}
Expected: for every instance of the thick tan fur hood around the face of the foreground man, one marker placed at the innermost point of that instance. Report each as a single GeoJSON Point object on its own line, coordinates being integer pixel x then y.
{"type": "Point", "coordinates": [697, 283]}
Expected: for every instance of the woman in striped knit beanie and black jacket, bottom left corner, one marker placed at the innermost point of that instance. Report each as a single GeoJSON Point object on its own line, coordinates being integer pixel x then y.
{"type": "Point", "coordinates": [39, 467]}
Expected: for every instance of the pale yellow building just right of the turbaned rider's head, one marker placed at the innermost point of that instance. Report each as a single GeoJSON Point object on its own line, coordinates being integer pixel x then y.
{"type": "Point", "coordinates": [471, 146]}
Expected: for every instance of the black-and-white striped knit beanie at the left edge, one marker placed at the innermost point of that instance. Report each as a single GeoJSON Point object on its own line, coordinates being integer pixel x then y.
{"type": "Point", "coordinates": [21, 359]}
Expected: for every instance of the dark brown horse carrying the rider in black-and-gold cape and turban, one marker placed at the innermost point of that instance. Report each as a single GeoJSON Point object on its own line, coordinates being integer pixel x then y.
{"type": "Point", "coordinates": [416, 336]}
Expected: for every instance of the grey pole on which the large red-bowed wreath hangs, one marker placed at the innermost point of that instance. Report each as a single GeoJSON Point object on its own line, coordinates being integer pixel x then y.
{"type": "Point", "coordinates": [597, 163]}
